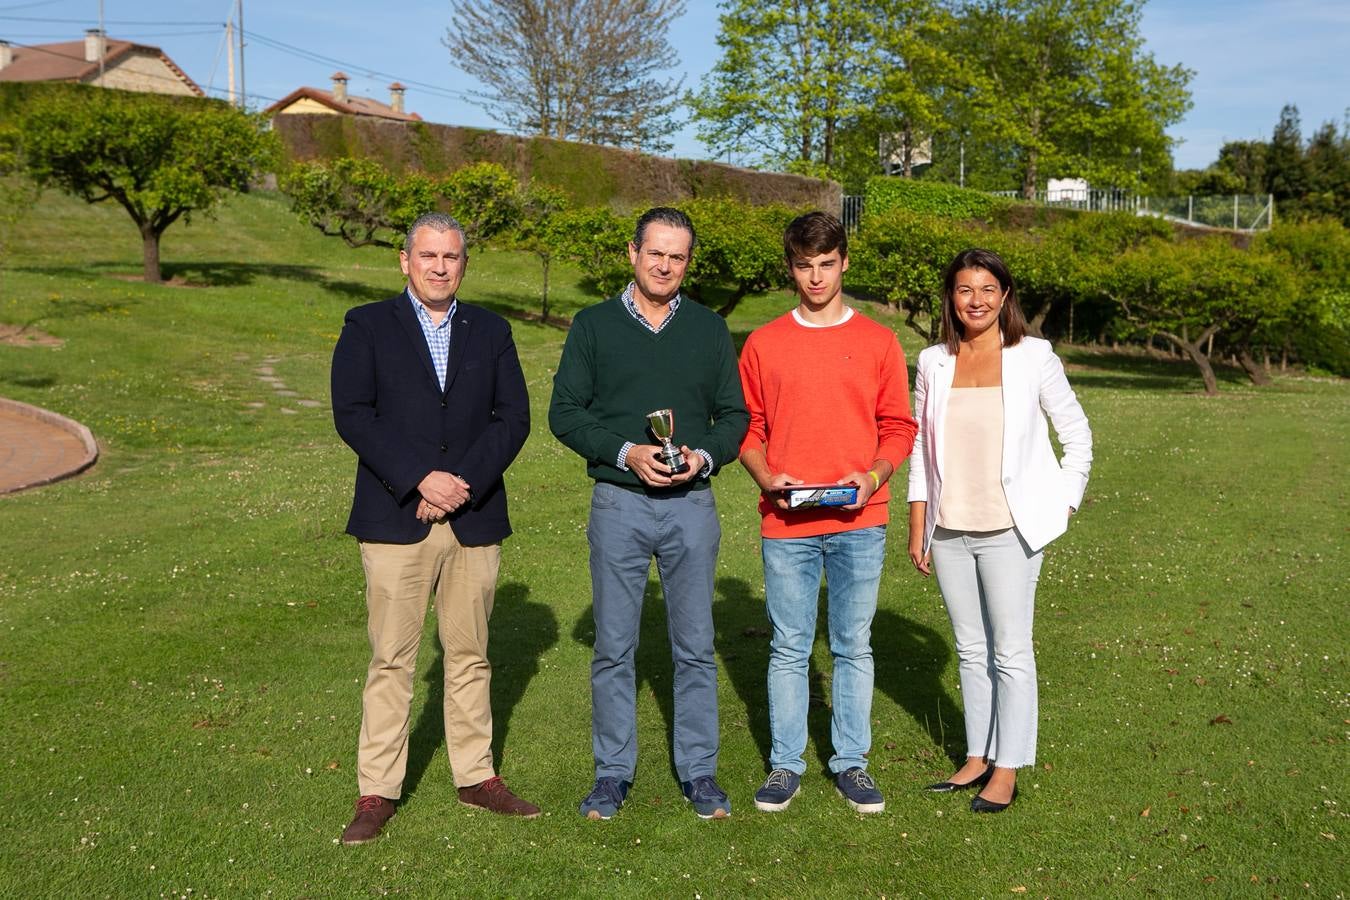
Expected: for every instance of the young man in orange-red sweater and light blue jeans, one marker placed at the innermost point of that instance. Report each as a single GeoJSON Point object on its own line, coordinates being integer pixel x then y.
{"type": "Point", "coordinates": [828, 396]}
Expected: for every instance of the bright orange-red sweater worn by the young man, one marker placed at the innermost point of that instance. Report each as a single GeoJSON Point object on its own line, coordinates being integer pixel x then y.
{"type": "Point", "coordinates": [826, 403]}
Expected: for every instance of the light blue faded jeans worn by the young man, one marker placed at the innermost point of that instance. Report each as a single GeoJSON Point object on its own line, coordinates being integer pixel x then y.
{"type": "Point", "coordinates": [853, 565]}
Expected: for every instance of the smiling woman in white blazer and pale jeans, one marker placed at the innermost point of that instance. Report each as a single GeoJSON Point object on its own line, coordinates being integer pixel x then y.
{"type": "Point", "coordinates": [986, 496]}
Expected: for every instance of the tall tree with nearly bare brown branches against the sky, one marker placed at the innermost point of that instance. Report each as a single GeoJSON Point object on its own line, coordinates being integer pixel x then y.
{"type": "Point", "coordinates": [573, 69]}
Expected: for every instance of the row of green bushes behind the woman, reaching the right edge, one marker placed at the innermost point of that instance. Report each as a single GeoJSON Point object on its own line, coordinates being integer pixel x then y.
{"type": "Point", "coordinates": [1118, 276]}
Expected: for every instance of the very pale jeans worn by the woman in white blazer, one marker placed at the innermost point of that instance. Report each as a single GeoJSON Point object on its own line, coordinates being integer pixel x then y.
{"type": "Point", "coordinates": [989, 585]}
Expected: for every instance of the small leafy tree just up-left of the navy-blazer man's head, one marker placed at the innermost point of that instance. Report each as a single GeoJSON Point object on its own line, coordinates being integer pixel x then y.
{"type": "Point", "coordinates": [358, 200]}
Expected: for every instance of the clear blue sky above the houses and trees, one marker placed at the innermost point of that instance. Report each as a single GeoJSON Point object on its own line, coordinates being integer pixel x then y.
{"type": "Point", "coordinates": [1251, 57]}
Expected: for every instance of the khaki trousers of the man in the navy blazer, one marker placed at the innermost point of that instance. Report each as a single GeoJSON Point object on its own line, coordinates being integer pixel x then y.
{"type": "Point", "coordinates": [399, 581]}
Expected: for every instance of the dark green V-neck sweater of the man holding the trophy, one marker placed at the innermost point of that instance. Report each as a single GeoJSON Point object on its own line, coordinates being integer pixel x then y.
{"type": "Point", "coordinates": [615, 372]}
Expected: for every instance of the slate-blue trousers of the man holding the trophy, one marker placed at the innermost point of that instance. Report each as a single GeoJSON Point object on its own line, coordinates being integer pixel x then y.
{"type": "Point", "coordinates": [626, 531]}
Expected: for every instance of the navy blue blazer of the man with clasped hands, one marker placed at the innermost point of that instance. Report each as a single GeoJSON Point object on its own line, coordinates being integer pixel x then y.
{"type": "Point", "coordinates": [389, 410]}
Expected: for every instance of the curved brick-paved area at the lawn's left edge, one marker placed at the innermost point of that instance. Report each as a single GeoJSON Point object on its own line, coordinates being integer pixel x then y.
{"type": "Point", "coordinates": [40, 447]}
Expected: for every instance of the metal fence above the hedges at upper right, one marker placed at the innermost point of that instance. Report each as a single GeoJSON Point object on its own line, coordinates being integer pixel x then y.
{"type": "Point", "coordinates": [1240, 213]}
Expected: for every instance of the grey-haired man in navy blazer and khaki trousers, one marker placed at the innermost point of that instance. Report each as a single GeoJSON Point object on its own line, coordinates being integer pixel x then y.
{"type": "Point", "coordinates": [430, 395]}
